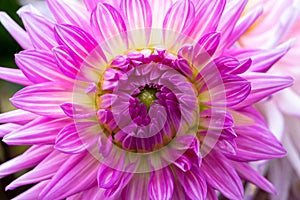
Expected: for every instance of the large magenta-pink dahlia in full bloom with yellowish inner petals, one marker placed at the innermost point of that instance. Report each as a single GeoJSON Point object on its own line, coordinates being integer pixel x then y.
{"type": "Point", "coordinates": [139, 99]}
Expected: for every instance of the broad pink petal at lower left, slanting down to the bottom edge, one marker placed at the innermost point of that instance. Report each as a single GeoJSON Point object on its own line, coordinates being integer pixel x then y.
{"type": "Point", "coordinates": [81, 167]}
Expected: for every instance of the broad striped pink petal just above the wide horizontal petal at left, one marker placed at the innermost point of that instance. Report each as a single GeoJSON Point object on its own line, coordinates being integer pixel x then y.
{"type": "Point", "coordinates": [29, 60]}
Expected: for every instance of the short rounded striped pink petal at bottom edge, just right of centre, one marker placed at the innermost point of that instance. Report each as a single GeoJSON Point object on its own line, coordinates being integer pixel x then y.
{"type": "Point", "coordinates": [161, 184]}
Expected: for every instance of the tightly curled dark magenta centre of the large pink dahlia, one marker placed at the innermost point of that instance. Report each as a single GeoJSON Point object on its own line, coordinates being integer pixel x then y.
{"type": "Point", "coordinates": [142, 100]}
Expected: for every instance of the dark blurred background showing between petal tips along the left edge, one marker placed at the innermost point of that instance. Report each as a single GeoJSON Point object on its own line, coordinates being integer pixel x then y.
{"type": "Point", "coordinates": [8, 47]}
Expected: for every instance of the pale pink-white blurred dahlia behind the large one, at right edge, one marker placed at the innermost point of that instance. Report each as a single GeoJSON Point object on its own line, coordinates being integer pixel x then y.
{"type": "Point", "coordinates": [281, 110]}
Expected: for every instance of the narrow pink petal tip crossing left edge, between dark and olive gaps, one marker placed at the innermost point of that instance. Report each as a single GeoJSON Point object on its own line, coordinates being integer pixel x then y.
{"type": "Point", "coordinates": [14, 75]}
